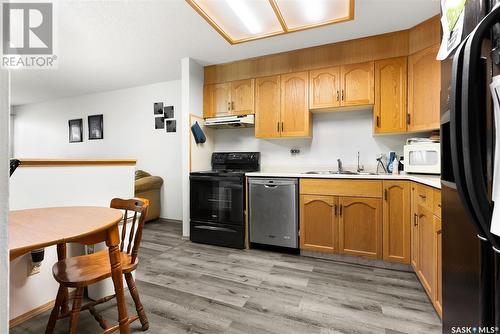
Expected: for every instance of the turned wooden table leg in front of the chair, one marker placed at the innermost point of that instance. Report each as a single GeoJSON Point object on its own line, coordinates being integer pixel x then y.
{"type": "Point", "coordinates": [112, 241]}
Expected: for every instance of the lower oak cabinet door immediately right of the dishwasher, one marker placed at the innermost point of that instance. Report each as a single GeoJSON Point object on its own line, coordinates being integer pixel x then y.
{"type": "Point", "coordinates": [318, 223]}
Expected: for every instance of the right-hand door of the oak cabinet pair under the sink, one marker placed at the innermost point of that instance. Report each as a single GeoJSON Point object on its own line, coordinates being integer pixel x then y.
{"type": "Point", "coordinates": [360, 226]}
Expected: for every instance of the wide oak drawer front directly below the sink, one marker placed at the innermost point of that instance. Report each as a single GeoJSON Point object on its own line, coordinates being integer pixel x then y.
{"type": "Point", "coordinates": [344, 187]}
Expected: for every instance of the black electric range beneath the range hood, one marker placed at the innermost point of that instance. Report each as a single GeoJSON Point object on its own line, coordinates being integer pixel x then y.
{"type": "Point", "coordinates": [217, 199]}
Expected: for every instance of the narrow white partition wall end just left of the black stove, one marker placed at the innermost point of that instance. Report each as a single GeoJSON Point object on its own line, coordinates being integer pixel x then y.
{"type": "Point", "coordinates": [192, 103]}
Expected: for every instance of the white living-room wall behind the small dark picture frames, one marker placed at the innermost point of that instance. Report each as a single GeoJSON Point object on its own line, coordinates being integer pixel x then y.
{"type": "Point", "coordinates": [41, 131]}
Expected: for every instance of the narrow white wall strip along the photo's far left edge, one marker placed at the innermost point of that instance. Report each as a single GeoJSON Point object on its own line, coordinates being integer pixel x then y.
{"type": "Point", "coordinates": [4, 200]}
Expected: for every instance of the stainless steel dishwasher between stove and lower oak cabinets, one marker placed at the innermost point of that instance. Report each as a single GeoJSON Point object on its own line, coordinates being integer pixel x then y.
{"type": "Point", "coordinates": [273, 211]}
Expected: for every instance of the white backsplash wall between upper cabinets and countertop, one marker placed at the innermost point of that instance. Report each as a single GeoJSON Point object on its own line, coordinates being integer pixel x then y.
{"type": "Point", "coordinates": [335, 135]}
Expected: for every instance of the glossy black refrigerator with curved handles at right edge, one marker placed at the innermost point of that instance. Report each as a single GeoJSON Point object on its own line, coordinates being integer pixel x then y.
{"type": "Point", "coordinates": [471, 267]}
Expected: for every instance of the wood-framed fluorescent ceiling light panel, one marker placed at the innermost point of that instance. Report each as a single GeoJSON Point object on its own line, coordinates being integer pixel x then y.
{"type": "Point", "coordinates": [245, 20]}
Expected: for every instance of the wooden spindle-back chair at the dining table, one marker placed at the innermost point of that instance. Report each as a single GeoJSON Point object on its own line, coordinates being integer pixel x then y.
{"type": "Point", "coordinates": [81, 271]}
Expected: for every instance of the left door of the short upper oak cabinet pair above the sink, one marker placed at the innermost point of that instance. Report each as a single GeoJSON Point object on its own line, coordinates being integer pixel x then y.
{"type": "Point", "coordinates": [324, 88]}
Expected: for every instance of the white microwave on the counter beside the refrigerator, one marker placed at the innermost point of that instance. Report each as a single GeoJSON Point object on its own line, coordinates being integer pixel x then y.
{"type": "Point", "coordinates": [422, 158]}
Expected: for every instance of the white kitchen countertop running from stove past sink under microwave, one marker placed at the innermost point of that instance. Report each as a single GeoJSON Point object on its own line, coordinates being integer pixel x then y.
{"type": "Point", "coordinates": [429, 180]}
